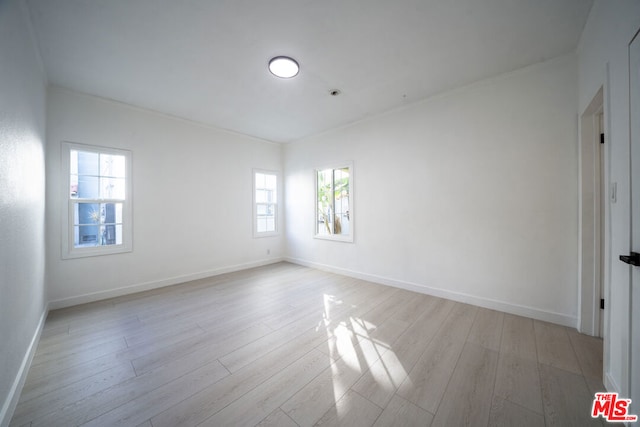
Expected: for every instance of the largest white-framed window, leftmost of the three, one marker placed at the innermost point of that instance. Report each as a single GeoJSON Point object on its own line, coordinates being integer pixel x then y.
{"type": "Point", "coordinates": [97, 194]}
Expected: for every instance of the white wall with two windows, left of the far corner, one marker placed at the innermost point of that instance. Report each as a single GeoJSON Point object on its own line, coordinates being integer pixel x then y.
{"type": "Point", "coordinates": [192, 187]}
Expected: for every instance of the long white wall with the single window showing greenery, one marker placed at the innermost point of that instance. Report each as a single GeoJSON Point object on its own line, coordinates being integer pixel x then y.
{"type": "Point", "coordinates": [471, 195]}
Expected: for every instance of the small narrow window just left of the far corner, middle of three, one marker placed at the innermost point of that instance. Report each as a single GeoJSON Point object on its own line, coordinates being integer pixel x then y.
{"type": "Point", "coordinates": [265, 203]}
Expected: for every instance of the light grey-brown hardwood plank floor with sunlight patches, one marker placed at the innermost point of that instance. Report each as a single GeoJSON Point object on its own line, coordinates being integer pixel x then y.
{"type": "Point", "coordinates": [287, 345]}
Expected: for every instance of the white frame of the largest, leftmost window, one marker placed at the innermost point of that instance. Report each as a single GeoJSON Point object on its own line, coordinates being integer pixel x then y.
{"type": "Point", "coordinates": [69, 251]}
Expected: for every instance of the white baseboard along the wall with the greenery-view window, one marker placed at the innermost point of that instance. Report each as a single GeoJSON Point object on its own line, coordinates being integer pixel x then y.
{"type": "Point", "coordinates": [519, 310]}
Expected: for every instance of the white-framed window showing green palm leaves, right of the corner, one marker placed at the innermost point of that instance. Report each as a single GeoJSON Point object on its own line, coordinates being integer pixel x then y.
{"type": "Point", "coordinates": [334, 214]}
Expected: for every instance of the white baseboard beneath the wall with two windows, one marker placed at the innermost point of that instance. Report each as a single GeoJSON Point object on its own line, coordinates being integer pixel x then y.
{"type": "Point", "coordinates": [155, 284]}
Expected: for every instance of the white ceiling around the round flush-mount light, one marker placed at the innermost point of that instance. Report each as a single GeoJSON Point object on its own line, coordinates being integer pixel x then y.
{"type": "Point", "coordinates": [206, 60]}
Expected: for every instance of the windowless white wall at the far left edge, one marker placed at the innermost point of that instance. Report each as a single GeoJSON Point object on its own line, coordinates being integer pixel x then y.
{"type": "Point", "coordinates": [22, 194]}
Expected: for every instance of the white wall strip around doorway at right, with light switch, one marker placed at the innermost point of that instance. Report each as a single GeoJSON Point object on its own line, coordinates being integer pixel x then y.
{"type": "Point", "coordinates": [603, 62]}
